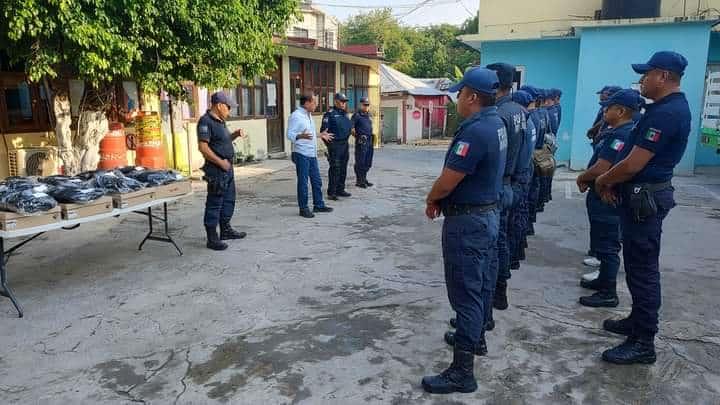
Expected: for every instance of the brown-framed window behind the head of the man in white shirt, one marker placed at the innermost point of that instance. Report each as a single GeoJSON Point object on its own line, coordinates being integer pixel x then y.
{"type": "Point", "coordinates": [312, 75]}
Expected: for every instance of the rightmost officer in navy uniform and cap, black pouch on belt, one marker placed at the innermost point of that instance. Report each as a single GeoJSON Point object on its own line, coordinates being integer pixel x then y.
{"type": "Point", "coordinates": [641, 180]}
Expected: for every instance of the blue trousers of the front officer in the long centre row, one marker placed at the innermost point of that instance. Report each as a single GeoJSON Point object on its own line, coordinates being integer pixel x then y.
{"type": "Point", "coordinates": [468, 242]}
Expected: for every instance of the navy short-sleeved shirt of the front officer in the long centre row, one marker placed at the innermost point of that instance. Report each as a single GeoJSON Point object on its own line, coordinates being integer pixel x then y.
{"type": "Point", "coordinates": [479, 150]}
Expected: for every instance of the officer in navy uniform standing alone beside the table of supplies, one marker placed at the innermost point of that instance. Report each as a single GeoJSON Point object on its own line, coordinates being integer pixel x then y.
{"type": "Point", "coordinates": [215, 143]}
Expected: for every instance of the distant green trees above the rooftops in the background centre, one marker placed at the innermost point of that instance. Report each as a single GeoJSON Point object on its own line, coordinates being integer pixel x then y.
{"type": "Point", "coordinates": [431, 51]}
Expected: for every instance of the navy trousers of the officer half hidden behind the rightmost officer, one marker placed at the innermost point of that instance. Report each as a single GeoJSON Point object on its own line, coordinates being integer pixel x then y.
{"type": "Point", "coordinates": [604, 238]}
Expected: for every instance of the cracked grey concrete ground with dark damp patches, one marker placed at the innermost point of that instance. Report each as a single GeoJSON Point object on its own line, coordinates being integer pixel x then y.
{"type": "Point", "coordinates": [345, 308]}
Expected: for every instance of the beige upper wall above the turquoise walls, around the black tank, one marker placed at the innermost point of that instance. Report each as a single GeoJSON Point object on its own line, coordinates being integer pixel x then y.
{"type": "Point", "coordinates": [533, 19]}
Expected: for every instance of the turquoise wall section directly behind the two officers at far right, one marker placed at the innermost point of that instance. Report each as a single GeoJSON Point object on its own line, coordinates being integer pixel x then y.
{"type": "Point", "coordinates": [605, 57]}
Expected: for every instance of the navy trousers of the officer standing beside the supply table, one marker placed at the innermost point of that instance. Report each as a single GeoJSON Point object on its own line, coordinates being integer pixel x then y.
{"type": "Point", "coordinates": [220, 202]}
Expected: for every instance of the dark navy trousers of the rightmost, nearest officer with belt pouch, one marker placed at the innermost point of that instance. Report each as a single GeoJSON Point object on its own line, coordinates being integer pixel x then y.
{"type": "Point", "coordinates": [641, 253]}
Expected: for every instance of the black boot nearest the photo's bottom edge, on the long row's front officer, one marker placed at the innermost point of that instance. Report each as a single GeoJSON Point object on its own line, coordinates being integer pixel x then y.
{"type": "Point", "coordinates": [459, 377]}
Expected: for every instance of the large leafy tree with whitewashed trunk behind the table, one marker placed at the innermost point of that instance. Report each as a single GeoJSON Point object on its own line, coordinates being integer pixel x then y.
{"type": "Point", "coordinates": [160, 44]}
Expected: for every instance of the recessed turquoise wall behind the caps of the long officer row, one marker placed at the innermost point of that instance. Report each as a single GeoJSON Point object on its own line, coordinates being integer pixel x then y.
{"type": "Point", "coordinates": [547, 63]}
